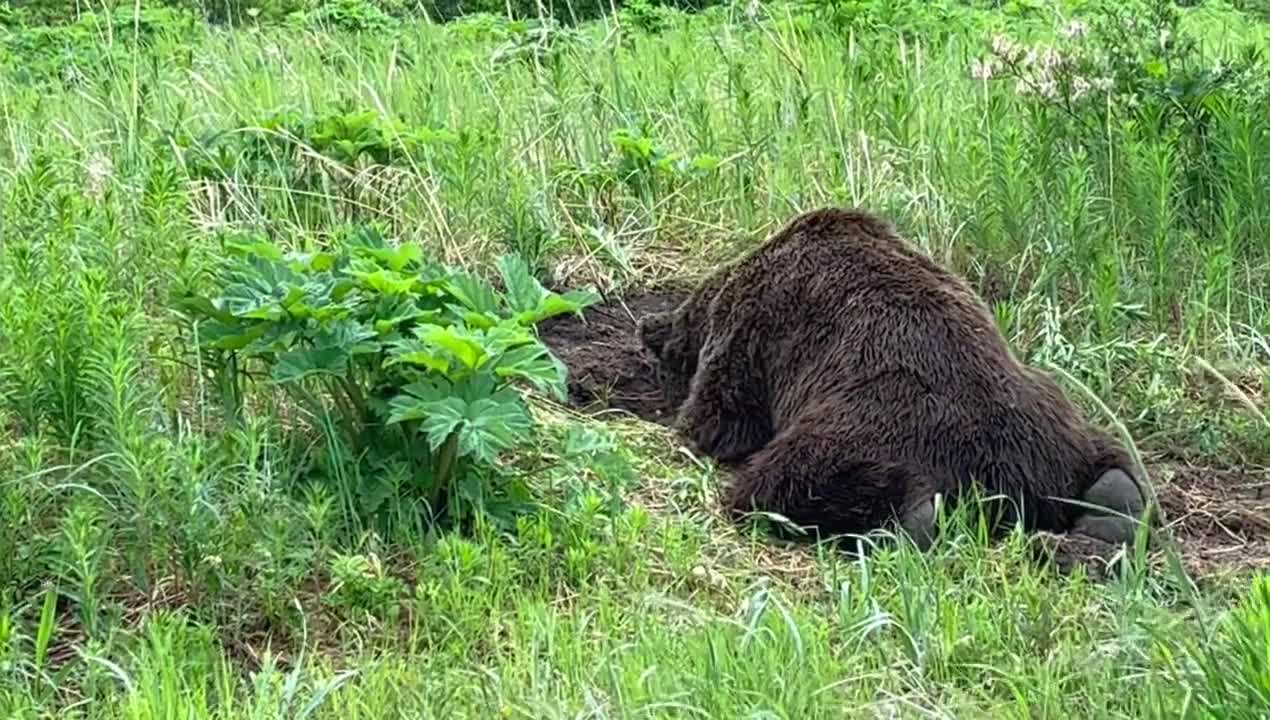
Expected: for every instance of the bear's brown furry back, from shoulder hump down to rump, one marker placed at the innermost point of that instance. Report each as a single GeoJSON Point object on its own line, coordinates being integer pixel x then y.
{"type": "Point", "coordinates": [855, 317]}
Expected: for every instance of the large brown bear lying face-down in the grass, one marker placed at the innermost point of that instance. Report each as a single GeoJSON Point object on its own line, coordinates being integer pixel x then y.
{"type": "Point", "coordinates": [850, 379]}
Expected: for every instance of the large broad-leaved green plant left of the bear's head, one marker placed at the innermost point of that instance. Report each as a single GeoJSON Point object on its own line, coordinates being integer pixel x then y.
{"type": "Point", "coordinates": [415, 368]}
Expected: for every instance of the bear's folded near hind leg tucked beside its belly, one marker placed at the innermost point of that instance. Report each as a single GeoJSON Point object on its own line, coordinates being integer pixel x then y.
{"type": "Point", "coordinates": [810, 482]}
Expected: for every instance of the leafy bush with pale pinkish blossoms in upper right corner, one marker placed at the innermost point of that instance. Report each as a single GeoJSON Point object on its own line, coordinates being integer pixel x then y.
{"type": "Point", "coordinates": [1139, 60]}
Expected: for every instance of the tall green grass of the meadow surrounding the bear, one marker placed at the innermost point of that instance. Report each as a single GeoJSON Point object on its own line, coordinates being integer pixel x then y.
{"type": "Point", "coordinates": [161, 562]}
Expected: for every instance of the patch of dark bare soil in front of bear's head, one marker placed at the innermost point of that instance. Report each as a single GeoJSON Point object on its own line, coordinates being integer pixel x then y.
{"type": "Point", "coordinates": [608, 366]}
